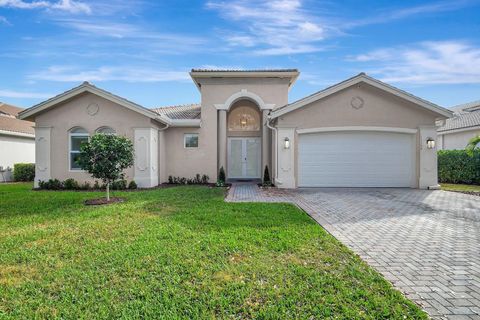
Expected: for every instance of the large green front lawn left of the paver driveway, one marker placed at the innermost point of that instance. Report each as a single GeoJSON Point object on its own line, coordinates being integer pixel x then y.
{"type": "Point", "coordinates": [178, 253]}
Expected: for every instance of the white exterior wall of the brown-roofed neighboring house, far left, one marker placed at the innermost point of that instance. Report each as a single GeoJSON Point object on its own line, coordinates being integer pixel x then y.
{"type": "Point", "coordinates": [15, 150]}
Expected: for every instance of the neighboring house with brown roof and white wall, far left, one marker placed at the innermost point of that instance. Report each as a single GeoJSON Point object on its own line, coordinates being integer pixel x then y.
{"type": "Point", "coordinates": [17, 141]}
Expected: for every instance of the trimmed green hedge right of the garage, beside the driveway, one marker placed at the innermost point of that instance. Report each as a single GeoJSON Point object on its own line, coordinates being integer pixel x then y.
{"type": "Point", "coordinates": [459, 166]}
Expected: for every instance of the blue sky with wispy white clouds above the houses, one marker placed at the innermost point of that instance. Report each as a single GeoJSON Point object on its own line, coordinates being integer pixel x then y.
{"type": "Point", "coordinates": [143, 50]}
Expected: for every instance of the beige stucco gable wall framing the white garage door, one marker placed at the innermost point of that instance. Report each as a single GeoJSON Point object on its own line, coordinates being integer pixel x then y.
{"type": "Point", "coordinates": [380, 109]}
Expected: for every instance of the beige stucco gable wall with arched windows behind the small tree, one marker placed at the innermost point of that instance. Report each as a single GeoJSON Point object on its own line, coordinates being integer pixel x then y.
{"type": "Point", "coordinates": [73, 113]}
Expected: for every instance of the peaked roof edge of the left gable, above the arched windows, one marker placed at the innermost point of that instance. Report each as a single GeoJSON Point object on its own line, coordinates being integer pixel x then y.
{"type": "Point", "coordinates": [87, 87]}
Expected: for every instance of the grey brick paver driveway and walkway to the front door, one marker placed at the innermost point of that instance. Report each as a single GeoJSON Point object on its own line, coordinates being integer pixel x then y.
{"type": "Point", "coordinates": [427, 243]}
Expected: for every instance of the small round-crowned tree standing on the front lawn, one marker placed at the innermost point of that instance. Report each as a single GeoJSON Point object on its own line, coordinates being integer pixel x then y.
{"type": "Point", "coordinates": [105, 157]}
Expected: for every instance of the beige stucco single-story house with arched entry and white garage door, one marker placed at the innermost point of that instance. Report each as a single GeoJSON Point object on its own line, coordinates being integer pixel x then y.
{"type": "Point", "coordinates": [358, 133]}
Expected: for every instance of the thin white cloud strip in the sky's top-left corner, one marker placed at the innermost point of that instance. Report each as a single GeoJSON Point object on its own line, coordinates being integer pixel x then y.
{"type": "Point", "coordinates": [70, 6]}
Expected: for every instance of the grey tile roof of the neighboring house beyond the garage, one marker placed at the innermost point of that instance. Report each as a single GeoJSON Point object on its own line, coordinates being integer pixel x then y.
{"type": "Point", "coordinates": [466, 115]}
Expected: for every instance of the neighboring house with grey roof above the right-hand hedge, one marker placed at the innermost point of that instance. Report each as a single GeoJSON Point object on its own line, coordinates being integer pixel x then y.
{"type": "Point", "coordinates": [459, 129]}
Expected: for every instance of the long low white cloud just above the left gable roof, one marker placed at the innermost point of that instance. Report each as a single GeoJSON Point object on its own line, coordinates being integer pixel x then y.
{"type": "Point", "coordinates": [106, 73]}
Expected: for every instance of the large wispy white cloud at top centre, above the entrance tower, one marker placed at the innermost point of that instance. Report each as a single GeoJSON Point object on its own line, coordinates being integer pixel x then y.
{"type": "Point", "coordinates": [272, 27]}
